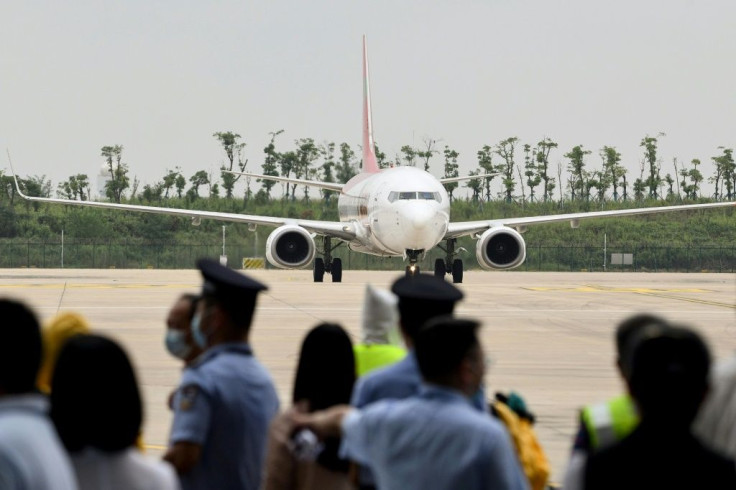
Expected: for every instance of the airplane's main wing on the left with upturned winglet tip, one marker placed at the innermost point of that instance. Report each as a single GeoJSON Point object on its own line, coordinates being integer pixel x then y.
{"type": "Point", "coordinates": [344, 231]}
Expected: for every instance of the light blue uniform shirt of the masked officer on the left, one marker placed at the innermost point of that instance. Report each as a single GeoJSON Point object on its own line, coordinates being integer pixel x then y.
{"type": "Point", "coordinates": [225, 403]}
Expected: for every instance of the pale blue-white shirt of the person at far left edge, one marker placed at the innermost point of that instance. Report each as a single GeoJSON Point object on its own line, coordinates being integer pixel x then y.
{"type": "Point", "coordinates": [31, 455]}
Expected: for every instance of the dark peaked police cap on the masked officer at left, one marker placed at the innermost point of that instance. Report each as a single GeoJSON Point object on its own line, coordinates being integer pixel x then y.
{"type": "Point", "coordinates": [225, 284]}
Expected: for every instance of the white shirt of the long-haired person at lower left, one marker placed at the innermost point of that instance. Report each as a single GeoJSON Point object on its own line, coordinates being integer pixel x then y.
{"type": "Point", "coordinates": [127, 469]}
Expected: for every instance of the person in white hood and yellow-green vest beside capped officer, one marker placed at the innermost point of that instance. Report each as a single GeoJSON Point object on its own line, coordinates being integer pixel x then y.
{"type": "Point", "coordinates": [380, 332]}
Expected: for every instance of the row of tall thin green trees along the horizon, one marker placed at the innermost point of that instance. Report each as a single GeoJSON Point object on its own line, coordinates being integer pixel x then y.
{"type": "Point", "coordinates": [524, 172]}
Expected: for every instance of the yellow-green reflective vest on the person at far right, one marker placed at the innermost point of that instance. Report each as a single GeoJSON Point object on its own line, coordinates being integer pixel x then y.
{"type": "Point", "coordinates": [611, 421]}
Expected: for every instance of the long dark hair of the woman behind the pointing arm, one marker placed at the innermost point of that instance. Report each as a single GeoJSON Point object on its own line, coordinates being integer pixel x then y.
{"type": "Point", "coordinates": [325, 376]}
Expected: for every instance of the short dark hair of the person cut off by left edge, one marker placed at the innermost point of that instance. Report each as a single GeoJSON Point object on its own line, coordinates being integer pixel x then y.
{"type": "Point", "coordinates": [20, 348]}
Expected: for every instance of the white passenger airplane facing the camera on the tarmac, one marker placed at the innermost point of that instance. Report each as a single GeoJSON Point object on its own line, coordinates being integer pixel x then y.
{"type": "Point", "coordinates": [394, 212]}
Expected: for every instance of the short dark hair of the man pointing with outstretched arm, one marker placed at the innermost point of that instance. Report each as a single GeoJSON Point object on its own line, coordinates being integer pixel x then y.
{"type": "Point", "coordinates": [442, 344]}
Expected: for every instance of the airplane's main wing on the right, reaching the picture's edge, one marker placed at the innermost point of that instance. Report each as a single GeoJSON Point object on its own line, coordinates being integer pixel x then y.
{"type": "Point", "coordinates": [462, 228]}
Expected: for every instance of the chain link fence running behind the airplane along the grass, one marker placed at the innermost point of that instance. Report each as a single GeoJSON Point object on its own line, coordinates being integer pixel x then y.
{"type": "Point", "coordinates": [84, 254]}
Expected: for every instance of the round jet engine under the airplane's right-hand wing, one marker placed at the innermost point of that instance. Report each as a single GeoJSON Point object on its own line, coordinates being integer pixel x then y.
{"type": "Point", "coordinates": [500, 248]}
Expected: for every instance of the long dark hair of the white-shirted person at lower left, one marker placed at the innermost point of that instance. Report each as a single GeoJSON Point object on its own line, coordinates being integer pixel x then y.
{"type": "Point", "coordinates": [95, 399]}
